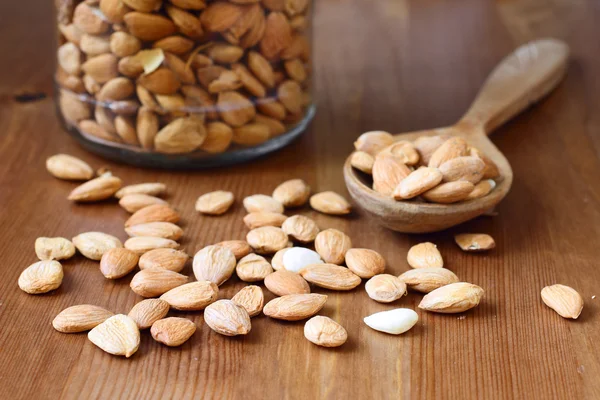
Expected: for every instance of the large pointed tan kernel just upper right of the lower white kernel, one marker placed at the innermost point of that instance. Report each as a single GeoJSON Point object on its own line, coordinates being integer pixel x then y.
{"type": "Point", "coordinates": [453, 298]}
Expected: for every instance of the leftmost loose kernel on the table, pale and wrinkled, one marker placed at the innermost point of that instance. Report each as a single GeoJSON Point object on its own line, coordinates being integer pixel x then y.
{"type": "Point", "coordinates": [41, 277]}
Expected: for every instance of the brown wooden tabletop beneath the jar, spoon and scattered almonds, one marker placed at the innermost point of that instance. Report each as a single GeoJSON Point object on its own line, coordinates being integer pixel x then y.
{"type": "Point", "coordinates": [389, 64]}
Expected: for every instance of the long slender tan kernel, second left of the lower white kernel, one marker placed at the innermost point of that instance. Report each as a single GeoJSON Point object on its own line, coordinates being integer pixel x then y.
{"type": "Point", "coordinates": [295, 307]}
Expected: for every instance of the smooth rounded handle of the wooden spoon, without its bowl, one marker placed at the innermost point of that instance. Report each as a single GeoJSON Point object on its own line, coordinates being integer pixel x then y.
{"type": "Point", "coordinates": [522, 78]}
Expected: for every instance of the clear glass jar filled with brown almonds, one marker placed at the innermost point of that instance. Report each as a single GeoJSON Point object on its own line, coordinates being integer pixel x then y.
{"type": "Point", "coordinates": [184, 83]}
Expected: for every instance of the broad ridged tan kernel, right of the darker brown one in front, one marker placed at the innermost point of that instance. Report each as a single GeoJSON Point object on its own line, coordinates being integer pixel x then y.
{"type": "Point", "coordinates": [227, 318]}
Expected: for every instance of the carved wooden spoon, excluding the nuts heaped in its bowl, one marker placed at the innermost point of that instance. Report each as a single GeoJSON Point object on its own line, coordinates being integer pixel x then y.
{"type": "Point", "coordinates": [522, 78]}
